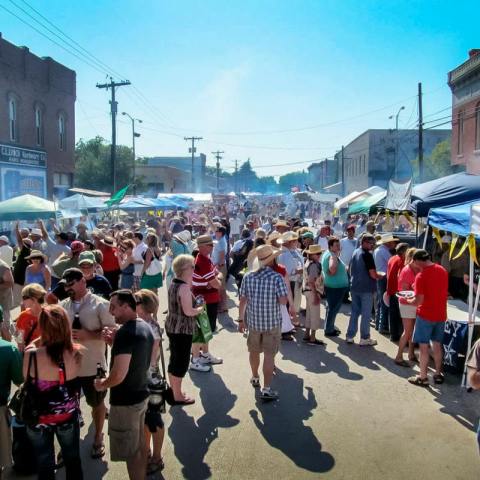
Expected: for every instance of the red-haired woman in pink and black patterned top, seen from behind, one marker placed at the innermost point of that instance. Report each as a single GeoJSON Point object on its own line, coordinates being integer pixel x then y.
{"type": "Point", "coordinates": [54, 363]}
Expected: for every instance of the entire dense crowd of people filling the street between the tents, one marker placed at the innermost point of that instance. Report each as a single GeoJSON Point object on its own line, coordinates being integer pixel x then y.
{"type": "Point", "coordinates": [89, 320]}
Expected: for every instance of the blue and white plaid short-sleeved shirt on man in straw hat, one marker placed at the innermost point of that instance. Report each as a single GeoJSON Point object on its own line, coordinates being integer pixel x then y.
{"type": "Point", "coordinates": [262, 289]}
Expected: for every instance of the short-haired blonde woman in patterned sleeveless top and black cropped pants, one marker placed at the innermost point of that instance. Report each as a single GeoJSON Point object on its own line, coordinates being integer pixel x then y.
{"type": "Point", "coordinates": [180, 324]}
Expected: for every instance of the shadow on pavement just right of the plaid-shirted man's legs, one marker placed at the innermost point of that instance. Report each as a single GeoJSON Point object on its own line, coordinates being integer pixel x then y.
{"type": "Point", "coordinates": [316, 359]}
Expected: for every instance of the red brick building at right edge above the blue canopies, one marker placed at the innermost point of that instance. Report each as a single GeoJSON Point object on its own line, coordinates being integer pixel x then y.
{"type": "Point", "coordinates": [464, 82]}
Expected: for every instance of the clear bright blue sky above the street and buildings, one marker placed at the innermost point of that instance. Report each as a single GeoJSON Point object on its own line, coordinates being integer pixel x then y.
{"type": "Point", "coordinates": [254, 77]}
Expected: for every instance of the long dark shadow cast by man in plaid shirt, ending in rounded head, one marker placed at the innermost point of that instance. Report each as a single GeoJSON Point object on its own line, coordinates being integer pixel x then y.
{"type": "Point", "coordinates": [282, 425]}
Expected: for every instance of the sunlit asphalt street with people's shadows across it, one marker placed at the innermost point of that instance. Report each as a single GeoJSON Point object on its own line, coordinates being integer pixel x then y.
{"type": "Point", "coordinates": [345, 412]}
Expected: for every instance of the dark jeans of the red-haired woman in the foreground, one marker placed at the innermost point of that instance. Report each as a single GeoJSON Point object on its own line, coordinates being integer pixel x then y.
{"type": "Point", "coordinates": [68, 436]}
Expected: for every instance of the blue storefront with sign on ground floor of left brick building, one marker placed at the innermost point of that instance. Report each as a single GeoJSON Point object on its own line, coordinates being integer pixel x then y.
{"type": "Point", "coordinates": [22, 170]}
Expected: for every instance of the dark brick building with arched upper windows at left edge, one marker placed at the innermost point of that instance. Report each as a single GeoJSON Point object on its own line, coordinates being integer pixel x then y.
{"type": "Point", "coordinates": [37, 123]}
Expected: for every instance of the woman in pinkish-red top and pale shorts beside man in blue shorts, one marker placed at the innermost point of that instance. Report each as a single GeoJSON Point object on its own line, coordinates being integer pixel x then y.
{"type": "Point", "coordinates": [408, 312]}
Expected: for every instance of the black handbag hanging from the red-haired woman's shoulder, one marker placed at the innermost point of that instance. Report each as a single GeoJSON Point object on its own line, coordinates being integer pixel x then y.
{"type": "Point", "coordinates": [24, 401]}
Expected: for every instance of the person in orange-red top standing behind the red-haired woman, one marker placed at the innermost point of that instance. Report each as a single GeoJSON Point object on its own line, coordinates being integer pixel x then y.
{"type": "Point", "coordinates": [27, 324]}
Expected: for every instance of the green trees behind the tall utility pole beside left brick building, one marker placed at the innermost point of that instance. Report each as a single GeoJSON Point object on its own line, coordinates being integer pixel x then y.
{"type": "Point", "coordinates": [92, 165]}
